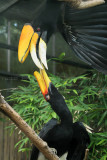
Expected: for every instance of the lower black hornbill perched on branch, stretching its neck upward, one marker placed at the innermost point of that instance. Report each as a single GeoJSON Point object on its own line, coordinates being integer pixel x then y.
{"type": "Point", "coordinates": [65, 137]}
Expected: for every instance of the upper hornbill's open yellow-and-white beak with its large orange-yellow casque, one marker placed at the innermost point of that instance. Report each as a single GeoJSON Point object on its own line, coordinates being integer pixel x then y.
{"type": "Point", "coordinates": [28, 43]}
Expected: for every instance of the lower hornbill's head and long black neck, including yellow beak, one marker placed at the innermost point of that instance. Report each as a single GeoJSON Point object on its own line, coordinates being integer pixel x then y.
{"type": "Point", "coordinates": [52, 95]}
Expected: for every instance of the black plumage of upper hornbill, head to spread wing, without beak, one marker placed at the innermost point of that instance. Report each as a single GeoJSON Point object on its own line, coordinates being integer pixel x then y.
{"type": "Point", "coordinates": [85, 30]}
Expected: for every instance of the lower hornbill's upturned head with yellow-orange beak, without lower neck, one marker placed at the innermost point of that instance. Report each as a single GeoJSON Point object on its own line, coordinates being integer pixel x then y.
{"type": "Point", "coordinates": [49, 91]}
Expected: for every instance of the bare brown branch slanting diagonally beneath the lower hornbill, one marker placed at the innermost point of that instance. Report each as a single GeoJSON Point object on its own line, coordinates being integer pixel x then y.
{"type": "Point", "coordinates": [27, 130]}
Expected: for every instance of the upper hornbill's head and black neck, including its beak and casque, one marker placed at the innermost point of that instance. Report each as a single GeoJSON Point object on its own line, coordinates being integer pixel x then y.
{"type": "Point", "coordinates": [35, 35]}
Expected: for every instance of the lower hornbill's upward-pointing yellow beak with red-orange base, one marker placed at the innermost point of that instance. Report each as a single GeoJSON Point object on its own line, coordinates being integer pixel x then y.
{"type": "Point", "coordinates": [43, 81]}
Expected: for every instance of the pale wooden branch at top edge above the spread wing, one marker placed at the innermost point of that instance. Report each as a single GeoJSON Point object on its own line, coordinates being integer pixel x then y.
{"type": "Point", "coordinates": [82, 4]}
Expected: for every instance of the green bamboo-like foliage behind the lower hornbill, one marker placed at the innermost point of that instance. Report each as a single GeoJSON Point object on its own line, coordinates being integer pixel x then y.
{"type": "Point", "coordinates": [86, 97]}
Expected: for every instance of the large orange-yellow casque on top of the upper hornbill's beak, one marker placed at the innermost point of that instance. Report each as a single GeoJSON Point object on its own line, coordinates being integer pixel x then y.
{"type": "Point", "coordinates": [24, 42]}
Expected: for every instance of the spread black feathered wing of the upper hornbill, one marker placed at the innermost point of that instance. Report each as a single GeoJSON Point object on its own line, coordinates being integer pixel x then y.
{"type": "Point", "coordinates": [85, 30]}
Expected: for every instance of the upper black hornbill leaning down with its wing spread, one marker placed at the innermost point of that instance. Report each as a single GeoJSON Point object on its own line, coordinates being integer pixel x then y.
{"type": "Point", "coordinates": [85, 31]}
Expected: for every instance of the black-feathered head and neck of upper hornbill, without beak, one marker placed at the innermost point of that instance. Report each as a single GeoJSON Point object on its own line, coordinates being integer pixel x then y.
{"type": "Point", "coordinates": [47, 19]}
